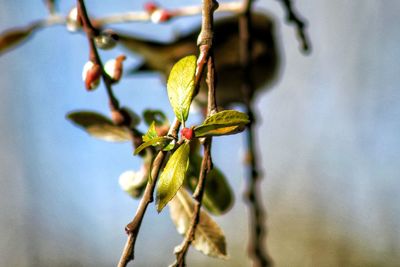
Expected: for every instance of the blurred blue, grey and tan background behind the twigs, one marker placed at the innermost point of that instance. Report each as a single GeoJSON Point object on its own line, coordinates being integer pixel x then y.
{"type": "Point", "coordinates": [328, 137]}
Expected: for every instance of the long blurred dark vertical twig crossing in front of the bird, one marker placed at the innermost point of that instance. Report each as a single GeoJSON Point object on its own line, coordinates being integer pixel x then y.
{"type": "Point", "coordinates": [256, 247]}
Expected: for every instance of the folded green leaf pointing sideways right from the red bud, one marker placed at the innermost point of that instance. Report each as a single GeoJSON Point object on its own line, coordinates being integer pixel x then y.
{"type": "Point", "coordinates": [222, 123]}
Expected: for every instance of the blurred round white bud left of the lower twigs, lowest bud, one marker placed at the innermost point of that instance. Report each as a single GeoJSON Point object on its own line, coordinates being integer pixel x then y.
{"type": "Point", "coordinates": [133, 182]}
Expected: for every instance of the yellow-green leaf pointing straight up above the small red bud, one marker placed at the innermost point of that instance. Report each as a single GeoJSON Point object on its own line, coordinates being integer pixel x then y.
{"type": "Point", "coordinates": [180, 86]}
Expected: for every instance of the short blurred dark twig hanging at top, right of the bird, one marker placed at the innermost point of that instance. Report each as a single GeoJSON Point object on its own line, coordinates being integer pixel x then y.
{"type": "Point", "coordinates": [299, 23]}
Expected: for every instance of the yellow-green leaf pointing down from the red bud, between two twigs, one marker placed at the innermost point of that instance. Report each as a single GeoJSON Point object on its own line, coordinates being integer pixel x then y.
{"type": "Point", "coordinates": [173, 175]}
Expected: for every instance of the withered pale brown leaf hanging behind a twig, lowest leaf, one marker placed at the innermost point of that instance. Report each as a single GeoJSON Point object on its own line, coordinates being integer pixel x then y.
{"type": "Point", "coordinates": [209, 238]}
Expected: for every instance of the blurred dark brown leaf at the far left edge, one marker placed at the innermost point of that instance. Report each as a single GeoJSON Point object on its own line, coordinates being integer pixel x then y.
{"type": "Point", "coordinates": [13, 37]}
